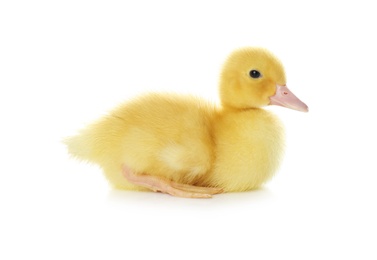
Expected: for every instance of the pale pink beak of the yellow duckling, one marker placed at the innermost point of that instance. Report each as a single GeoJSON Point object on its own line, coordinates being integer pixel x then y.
{"type": "Point", "coordinates": [285, 98]}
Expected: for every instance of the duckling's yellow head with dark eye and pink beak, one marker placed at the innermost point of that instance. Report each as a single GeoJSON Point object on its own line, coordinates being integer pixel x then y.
{"type": "Point", "coordinates": [254, 77]}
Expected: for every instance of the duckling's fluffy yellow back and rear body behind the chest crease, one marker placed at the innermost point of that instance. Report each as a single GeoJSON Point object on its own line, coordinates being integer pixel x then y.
{"type": "Point", "coordinates": [161, 135]}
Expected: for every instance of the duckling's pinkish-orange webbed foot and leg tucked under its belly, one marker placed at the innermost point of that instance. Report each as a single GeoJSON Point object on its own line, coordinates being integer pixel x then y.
{"type": "Point", "coordinates": [166, 186]}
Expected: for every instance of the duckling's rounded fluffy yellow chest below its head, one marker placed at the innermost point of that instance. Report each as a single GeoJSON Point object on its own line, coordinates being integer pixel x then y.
{"type": "Point", "coordinates": [249, 146]}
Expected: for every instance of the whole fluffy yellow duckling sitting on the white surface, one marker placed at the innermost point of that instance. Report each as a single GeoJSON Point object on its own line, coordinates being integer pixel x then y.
{"type": "Point", "coordinates": [188, 147]}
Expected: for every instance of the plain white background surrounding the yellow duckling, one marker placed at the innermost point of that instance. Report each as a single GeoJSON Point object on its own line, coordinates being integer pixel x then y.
{"type": "Point", "coordinates": [65, 63]}
